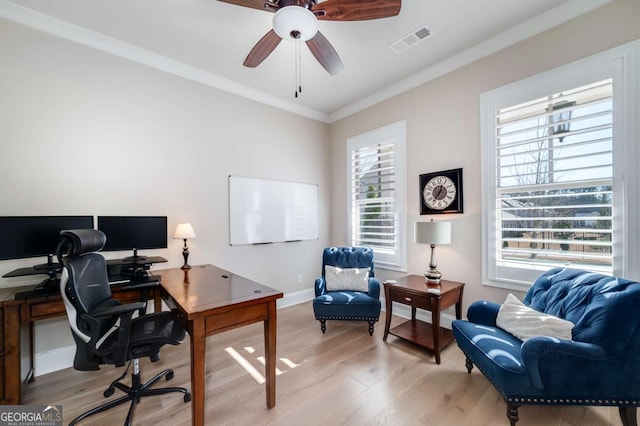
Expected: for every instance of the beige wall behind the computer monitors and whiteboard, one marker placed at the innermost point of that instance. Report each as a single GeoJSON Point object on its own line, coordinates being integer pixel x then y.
{"type": "Point", "coordinates": [84, 132]}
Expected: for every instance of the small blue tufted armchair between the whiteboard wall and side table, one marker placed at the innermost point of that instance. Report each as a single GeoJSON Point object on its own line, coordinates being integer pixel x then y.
{"type": "Point", "coordinates": [347, 304]}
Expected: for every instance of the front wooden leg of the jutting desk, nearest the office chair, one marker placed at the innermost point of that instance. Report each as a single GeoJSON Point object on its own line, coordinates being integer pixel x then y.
{"type": "Point", "coordinates": [198, 357]}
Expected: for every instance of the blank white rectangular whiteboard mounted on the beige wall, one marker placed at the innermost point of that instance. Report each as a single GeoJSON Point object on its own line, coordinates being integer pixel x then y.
{"type": "Point", "coordinates": [270, 211]}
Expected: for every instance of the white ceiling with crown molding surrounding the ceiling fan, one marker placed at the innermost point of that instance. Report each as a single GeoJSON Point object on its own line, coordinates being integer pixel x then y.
{"type": "Point", "coordinates": [207, 40]}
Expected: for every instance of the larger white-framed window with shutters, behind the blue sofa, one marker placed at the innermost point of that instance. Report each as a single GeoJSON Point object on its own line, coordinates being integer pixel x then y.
{"type": "Point", "coordinates": [554, 152]}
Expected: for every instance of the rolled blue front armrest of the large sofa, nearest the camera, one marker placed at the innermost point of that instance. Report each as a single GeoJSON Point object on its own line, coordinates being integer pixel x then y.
{"type": "Point", "coordinates": [541, 355]}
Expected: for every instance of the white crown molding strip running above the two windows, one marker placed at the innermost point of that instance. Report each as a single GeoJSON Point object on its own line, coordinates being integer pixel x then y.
{"type": "Point", "coordinates": [540, 23]}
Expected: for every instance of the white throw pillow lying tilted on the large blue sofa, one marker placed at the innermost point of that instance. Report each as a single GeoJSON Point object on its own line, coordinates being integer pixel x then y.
{"type": "Point", "coordinates": [525, 323]}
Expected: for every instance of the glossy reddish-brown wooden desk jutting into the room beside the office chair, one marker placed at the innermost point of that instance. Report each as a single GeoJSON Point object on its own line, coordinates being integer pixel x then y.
{"type": "Point", "coordinates": [209, 300]}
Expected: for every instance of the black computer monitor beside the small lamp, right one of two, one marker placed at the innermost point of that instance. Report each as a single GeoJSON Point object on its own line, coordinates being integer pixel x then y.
{"type": "Point", "coordinates": [134, 233]}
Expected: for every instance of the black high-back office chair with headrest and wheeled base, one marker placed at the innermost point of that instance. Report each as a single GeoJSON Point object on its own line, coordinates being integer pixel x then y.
{"type": "Point", "coordinates": [104, 330]}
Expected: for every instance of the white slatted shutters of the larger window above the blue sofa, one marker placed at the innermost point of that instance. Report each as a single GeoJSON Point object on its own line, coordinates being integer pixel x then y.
{"type": "Point", "coordinates": [554, 180]}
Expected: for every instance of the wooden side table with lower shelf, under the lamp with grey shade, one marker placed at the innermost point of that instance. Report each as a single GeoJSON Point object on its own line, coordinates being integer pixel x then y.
{"type": "Point", "coordinates": [413, 291]}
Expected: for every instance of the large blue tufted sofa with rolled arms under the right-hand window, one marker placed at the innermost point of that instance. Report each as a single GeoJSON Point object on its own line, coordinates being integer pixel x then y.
{"type": "Point", "coordinates": [600, 365]}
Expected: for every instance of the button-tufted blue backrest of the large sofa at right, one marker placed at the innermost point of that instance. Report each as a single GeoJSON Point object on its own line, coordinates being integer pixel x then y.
{"type": "Point", "coordinates": [604, 309]}
